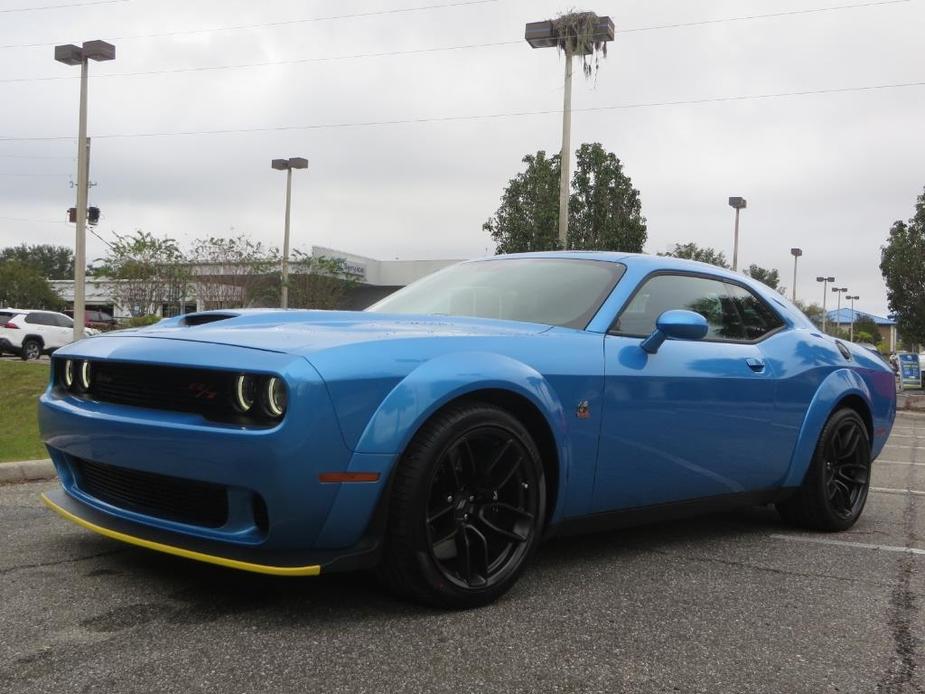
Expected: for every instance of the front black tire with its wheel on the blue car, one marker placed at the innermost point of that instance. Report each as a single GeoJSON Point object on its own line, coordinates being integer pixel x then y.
{"type": "Point", "coordinates": [467, 508]}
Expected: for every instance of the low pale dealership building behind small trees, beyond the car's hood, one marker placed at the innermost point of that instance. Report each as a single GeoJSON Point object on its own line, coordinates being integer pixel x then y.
{"type": "Point", "coordinates": [374, 279]}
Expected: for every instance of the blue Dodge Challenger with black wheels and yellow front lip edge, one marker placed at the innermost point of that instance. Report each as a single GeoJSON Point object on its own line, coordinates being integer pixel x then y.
{"type": "Point", "coordinates": [440, 435]}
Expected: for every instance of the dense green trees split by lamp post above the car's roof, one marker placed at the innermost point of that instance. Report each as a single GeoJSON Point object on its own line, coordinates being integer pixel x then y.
{"type": "Point", "coordinates": [605, 212]}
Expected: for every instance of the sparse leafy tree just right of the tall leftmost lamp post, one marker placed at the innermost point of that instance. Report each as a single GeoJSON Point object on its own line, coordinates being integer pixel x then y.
{"type": "Point", "coordinates": [149, 272]}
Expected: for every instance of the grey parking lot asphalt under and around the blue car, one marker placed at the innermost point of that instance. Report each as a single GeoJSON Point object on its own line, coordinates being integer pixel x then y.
{"type": "Point", "coordinates": [735, 602]}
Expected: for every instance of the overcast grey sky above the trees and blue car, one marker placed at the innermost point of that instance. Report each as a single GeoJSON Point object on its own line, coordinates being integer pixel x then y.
{"type": "Point", "coordinates": [827, 172]}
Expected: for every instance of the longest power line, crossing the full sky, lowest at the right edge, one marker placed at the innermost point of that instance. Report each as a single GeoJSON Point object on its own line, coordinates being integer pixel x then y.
{"type": "Point", "coordinates": [482, 116]}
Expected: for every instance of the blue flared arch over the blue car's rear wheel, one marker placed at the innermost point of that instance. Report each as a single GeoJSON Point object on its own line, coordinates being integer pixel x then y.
{"type": "Point", "coordinates": [836, 386]}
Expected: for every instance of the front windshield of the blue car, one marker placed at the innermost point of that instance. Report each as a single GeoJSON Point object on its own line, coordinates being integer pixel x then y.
{"type": "Point", "coordinates": [553, 291]}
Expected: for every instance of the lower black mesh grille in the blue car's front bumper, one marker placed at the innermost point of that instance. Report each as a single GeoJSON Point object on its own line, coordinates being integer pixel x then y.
{"type": "Point", "coordinates": [170, 498]}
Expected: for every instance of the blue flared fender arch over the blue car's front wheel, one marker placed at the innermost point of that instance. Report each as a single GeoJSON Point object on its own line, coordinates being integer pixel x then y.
{"type": "Point", "coordinates": [450, 376]}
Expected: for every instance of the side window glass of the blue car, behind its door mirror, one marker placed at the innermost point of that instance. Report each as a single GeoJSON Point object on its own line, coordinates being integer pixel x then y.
{"type": "Point", "coordinates": [732, 312]}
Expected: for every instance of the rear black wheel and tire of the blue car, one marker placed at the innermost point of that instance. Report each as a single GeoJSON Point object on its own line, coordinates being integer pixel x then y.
{"type": "Point", "coordinates": [835, 489]}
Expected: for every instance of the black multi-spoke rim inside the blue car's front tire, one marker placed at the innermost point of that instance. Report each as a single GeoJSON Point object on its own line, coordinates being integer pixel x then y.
{"type": "Point", "coordinates": [482, 507]}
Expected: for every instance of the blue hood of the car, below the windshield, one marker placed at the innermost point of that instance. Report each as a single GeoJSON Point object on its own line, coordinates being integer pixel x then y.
{"type": "Point", "coordinates": [305, 332]}
